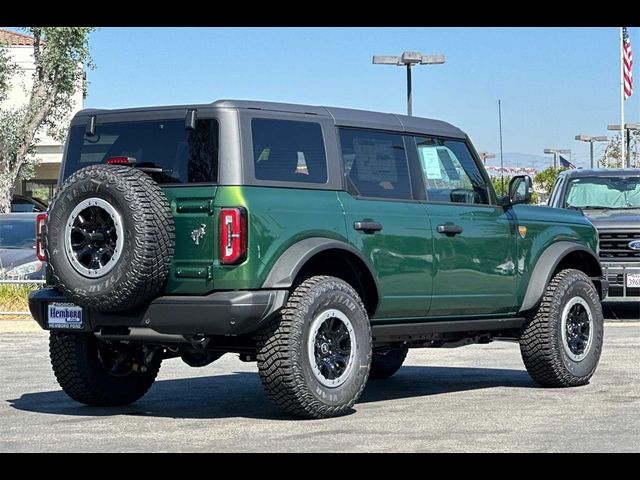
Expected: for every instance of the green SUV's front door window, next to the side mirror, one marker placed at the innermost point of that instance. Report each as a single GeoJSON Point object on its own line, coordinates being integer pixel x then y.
{"type": "Point", "coordinates": [450, 172]}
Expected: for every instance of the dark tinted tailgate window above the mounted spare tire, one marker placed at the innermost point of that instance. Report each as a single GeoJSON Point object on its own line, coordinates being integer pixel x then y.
{"type": "Point", "coordinates": [183, 154]}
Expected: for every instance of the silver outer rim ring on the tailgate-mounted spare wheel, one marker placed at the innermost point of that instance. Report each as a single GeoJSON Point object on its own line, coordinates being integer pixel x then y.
{"type": "Point", "coordinates": [117, 221]}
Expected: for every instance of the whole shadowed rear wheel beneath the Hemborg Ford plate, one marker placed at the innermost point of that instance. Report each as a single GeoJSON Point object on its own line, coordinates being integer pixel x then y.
{"type": "Point", "coordinates": [99, 374]}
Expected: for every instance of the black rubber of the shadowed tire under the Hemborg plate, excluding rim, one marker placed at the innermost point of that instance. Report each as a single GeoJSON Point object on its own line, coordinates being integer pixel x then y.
{"type": "Point", "coordinates": [76, 365]}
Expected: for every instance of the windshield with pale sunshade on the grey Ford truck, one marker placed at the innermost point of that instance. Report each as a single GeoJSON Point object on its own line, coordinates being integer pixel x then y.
{"type": "Point", "coordinates": [604, 192]}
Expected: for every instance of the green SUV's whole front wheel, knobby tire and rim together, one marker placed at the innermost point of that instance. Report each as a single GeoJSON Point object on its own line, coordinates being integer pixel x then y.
{"type": "Point", "coordinates": [561, 344]}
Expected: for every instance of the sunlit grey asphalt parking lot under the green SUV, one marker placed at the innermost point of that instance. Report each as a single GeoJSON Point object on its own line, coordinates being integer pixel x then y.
{"type": "Point", "coordinates": [476, 398]}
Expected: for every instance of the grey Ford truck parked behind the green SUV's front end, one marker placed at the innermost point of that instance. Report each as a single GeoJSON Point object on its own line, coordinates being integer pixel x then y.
{"type": "Point", "coordinates": [610, 198]}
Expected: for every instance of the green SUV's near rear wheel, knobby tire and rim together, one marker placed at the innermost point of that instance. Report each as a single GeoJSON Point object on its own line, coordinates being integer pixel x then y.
{"type": "Point", "coordinates": [314, 358]}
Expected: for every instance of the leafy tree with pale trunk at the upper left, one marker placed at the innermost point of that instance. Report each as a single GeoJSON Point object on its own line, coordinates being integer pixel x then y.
{"type": "Point", "coordinates": [59, 54]}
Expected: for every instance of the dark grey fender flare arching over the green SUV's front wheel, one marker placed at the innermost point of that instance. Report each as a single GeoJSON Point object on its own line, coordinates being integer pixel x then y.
{"type": "Point", "coordinates": [545, 266]}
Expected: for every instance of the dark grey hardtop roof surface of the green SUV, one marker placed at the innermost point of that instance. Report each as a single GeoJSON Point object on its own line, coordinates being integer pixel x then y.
{"type": "Point", "coordinates": [341, 116]}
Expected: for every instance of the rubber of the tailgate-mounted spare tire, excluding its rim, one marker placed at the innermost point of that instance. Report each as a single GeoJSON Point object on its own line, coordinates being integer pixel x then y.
{"type": "Point", "coordinates": [143, 267]}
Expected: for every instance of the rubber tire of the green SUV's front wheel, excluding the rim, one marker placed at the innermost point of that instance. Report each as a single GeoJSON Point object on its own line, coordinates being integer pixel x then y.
{"type": "Point", "coordinates": [541, 343]}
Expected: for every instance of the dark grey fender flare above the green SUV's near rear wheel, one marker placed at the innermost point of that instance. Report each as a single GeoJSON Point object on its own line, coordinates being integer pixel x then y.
{"type": "Point", "coordinates": [287, 267]}
